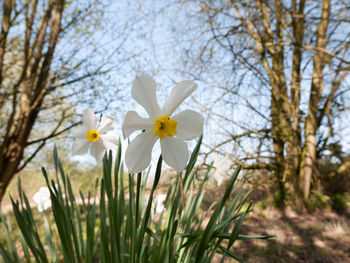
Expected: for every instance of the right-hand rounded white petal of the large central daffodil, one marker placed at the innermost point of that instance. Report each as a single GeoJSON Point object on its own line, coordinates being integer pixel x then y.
{"type": "Point", "coordinates": [189, 124]}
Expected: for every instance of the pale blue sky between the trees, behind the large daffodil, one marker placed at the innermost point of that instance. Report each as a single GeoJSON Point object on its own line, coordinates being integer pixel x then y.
{"type": "Point", "coordinates": [155, 46]}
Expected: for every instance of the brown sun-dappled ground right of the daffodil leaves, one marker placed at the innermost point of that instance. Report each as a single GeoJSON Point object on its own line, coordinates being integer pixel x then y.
{"type": "Point", "coordinates": [320, 237]}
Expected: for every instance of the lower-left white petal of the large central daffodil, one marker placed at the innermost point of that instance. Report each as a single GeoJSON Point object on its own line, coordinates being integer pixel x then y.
{"type": "Point", "coordinates": [138, 155]}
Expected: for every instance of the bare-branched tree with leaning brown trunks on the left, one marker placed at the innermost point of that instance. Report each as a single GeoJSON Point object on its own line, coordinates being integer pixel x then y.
{"type": "Point", "coordinates": [52, 55]}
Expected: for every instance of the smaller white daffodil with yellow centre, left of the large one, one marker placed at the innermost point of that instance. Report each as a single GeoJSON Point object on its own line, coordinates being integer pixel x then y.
{"type": "Point", "coordinates": [87, 134]}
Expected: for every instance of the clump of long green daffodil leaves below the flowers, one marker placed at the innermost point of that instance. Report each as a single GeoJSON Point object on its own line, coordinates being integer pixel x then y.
{"type": "Point", "coordinates": [121, 229]}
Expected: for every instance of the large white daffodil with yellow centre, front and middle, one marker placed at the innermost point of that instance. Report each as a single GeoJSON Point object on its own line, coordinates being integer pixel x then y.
{"type": "Point", "coordinates": [171, 130]}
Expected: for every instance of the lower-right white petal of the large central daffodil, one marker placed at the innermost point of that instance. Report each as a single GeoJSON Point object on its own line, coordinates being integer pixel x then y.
{"type": "Point", "coordinates": [175, 152]}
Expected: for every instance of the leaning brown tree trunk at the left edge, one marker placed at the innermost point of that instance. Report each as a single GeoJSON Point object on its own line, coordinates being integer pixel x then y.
{"type": "Point", "coordinates": [29, 93]}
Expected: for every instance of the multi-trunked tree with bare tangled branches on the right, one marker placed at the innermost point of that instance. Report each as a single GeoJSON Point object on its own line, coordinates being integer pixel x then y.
{"type": "Point", "coordinates": [284, 84]}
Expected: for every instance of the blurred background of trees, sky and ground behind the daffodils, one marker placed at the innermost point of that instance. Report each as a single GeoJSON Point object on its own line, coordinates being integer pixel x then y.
{"type": "Point", "coordinates": [273, 85]}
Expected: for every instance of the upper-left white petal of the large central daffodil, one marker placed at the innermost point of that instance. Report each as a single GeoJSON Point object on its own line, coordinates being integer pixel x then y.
{"type": "Point", "coordinates": [144, 92]}
